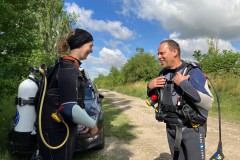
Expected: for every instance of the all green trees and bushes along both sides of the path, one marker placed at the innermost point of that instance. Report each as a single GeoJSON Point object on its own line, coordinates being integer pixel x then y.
{"type": "Point", "coordinates": [29, 32]}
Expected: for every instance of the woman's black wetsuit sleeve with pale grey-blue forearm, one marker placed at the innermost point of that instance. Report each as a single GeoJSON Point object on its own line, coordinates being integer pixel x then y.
{"type": "Point", "coordinates": [68, 89]}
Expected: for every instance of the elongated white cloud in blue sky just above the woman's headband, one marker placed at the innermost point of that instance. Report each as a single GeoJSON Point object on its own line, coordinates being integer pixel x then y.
{"type": "Point", "coordinates": [85, 20]}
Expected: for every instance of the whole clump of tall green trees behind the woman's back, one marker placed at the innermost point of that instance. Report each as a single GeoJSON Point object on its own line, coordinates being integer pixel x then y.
{"type": "Point", "coordinates": [28, 31]}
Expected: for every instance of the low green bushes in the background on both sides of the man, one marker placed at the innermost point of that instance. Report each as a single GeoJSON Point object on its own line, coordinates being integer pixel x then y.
{"type": "Point", "coordinates": [143, 66]}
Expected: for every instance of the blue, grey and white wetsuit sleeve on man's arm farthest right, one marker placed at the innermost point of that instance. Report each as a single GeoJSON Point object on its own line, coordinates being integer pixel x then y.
{"type": "Point", "coordinates": [197, 90]}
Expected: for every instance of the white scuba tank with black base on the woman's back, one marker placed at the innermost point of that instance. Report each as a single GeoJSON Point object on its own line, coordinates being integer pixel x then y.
{"type": "Point", "coordinates": [23, 136]}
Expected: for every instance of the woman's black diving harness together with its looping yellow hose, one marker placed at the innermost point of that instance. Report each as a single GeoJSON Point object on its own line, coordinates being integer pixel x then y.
{"type": "Point", "coordinates": [52, 102]}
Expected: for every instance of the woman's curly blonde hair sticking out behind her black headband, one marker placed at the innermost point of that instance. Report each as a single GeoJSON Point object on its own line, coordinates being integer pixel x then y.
{"type": "Point", "coordinates": [62, 45]}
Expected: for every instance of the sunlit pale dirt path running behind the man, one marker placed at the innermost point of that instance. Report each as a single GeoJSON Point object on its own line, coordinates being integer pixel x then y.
{"type": "Point", "coordinates": [151, 141]}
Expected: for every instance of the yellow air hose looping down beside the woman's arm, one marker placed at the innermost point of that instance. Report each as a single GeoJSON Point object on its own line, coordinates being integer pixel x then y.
{"type": "Point", "coordinates": [42, 72]}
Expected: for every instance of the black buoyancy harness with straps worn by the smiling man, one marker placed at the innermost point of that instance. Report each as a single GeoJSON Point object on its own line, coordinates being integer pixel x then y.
{"type": "Point", "coordinates": [173, 107]}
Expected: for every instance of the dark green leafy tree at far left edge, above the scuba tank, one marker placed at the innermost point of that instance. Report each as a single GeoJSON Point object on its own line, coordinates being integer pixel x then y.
{"type": "Point", "coordinates": [18, 37]}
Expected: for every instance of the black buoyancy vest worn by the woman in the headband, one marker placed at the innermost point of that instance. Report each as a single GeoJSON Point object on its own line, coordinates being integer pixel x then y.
{"type": "Point", "coordinates": [52, 100]}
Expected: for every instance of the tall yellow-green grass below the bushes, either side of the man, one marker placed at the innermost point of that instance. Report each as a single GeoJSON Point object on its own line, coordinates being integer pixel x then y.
{"type": "Point", "coordinates": [228, 89]}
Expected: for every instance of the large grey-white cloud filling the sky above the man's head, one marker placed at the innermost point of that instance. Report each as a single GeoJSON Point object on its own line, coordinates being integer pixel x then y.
{"type": "Point", "coordinates": [190, 18]}
